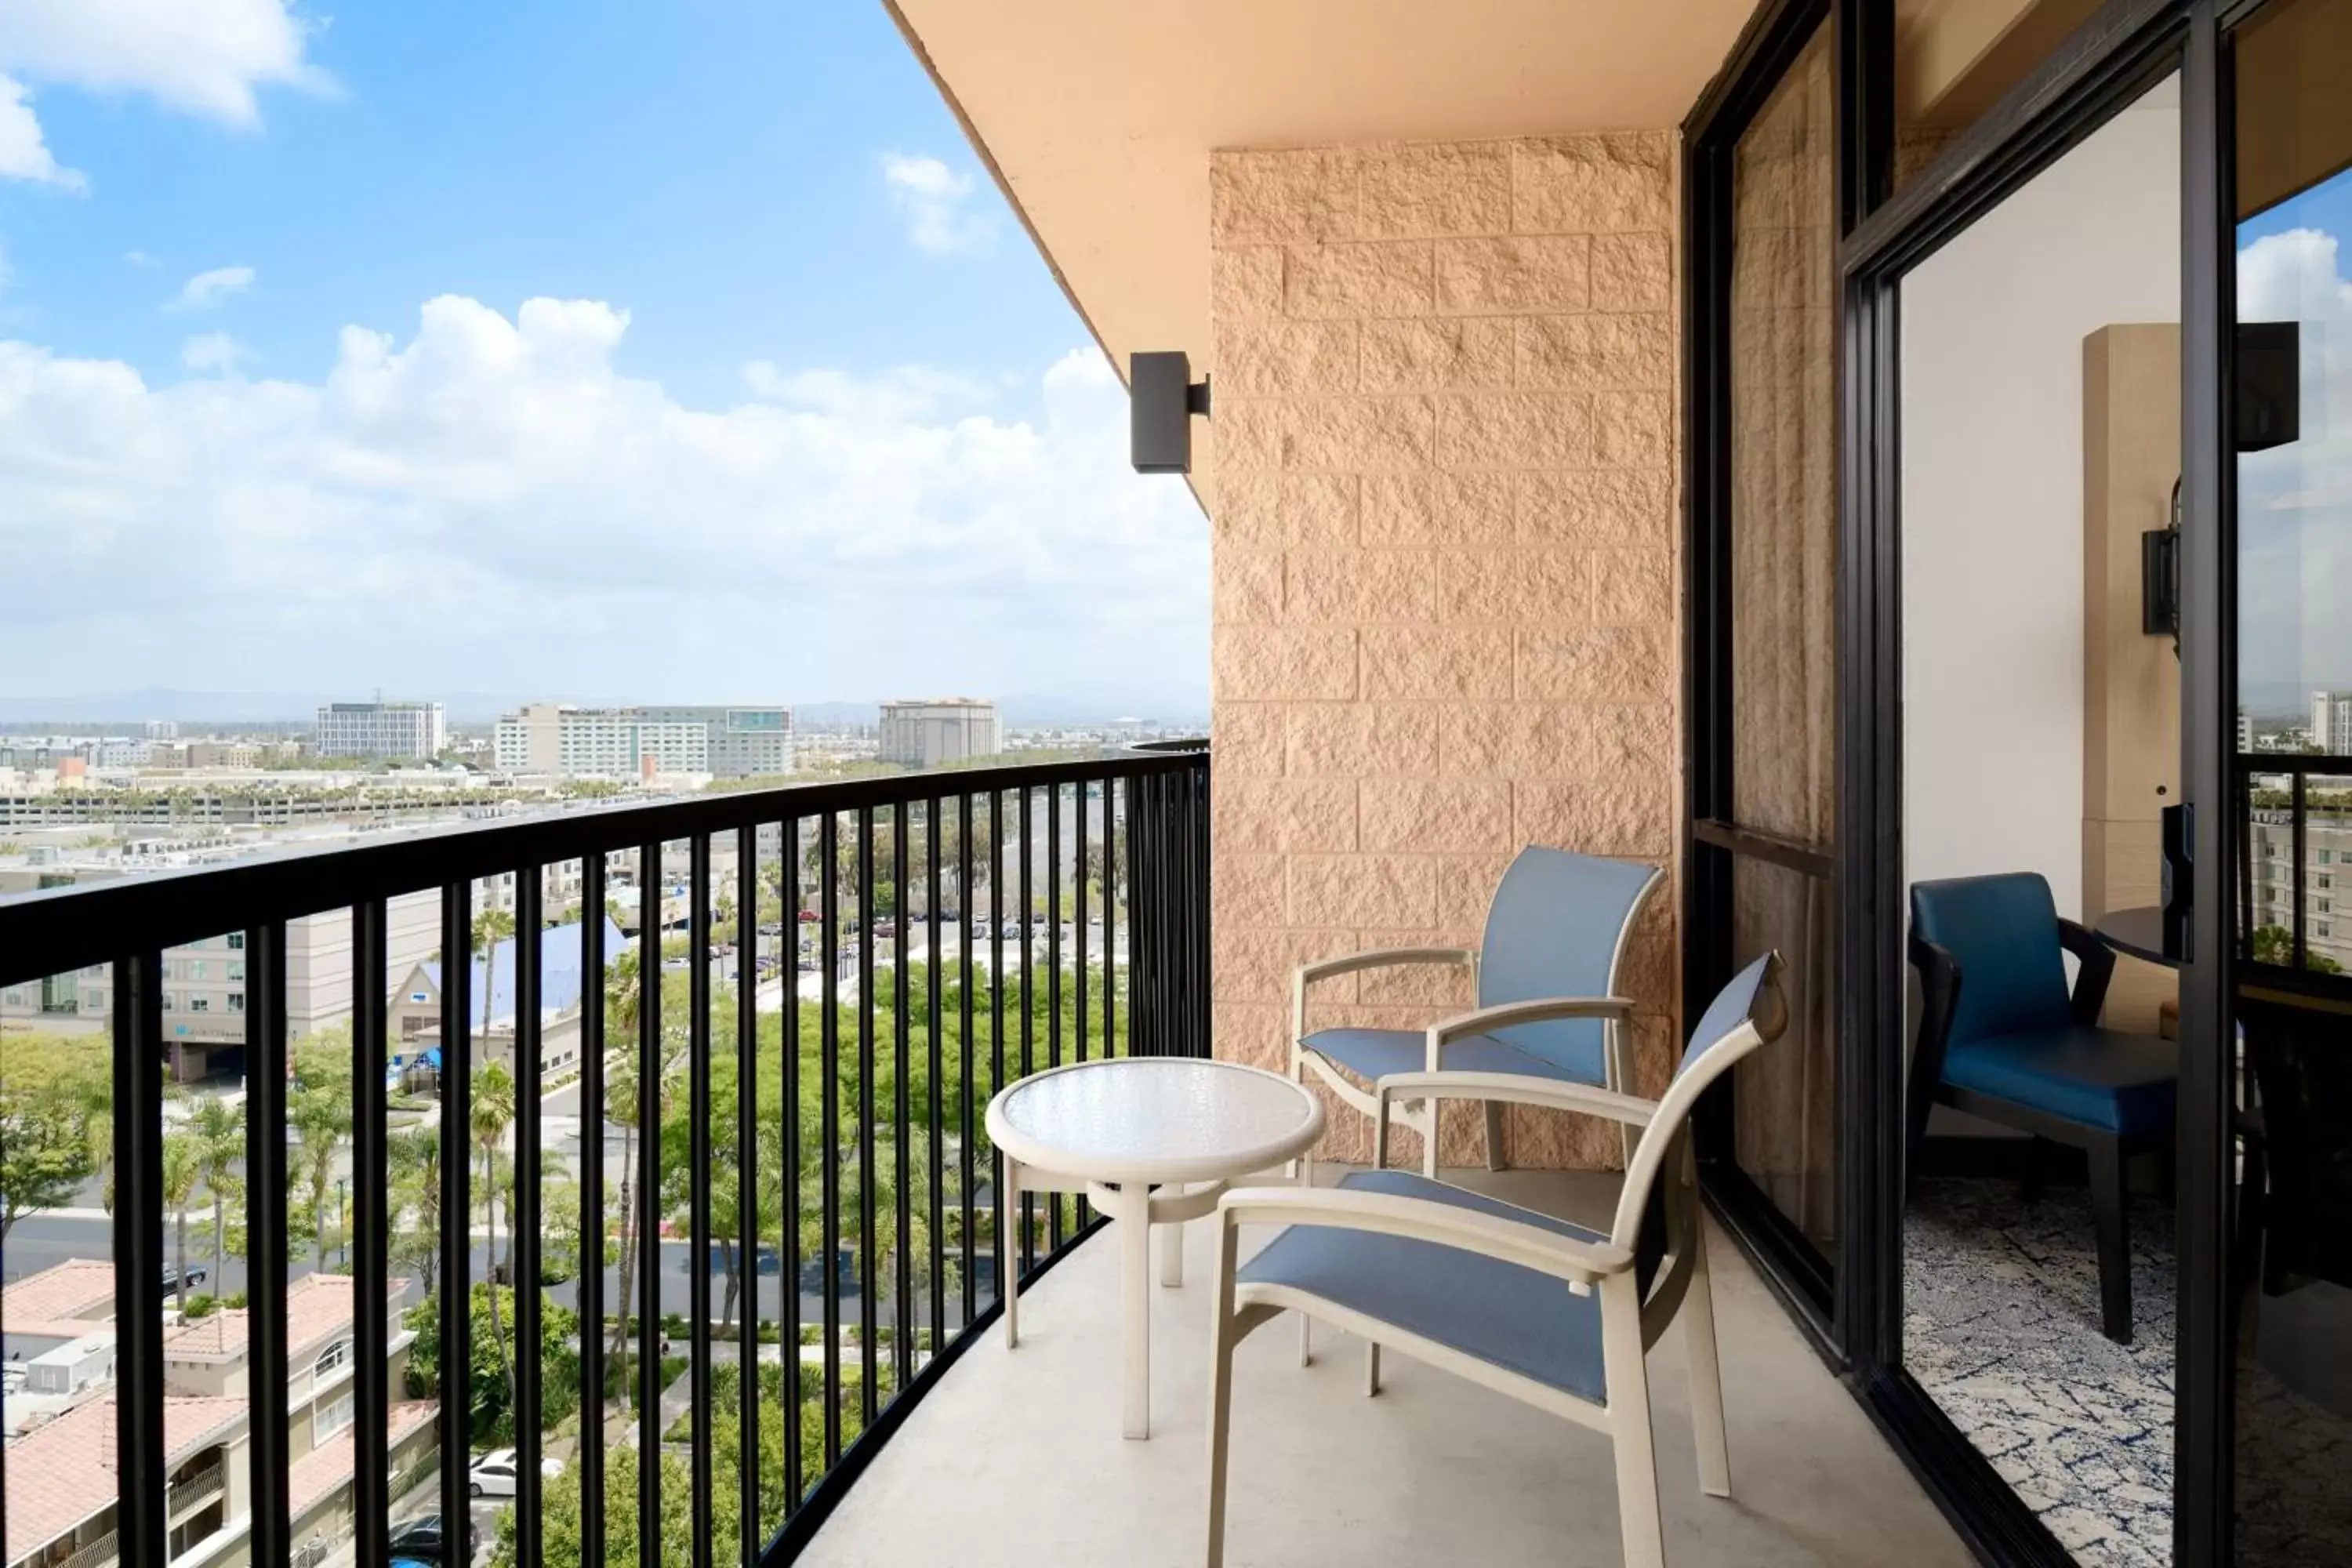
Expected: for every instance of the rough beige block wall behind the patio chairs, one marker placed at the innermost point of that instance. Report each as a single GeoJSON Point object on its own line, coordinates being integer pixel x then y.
{"type": "Point", "coordinates": [1445, 565]}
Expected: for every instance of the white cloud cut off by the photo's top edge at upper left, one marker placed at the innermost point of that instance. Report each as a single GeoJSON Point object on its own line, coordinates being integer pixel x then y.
{"type": "Point", "coordinates": [194, 55]}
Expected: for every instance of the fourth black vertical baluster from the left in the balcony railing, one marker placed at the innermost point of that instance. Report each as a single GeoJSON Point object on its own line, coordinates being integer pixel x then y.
{"type": "Point", "coordinates": [455, 1205]}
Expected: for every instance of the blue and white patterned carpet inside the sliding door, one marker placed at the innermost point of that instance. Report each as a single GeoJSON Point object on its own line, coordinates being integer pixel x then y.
{"type": "Point", "coordinates": [2003, 1329]}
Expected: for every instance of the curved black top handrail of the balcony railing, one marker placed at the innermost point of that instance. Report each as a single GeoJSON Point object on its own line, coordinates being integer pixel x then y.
{"type": "Point", "coordinates": [62, 930]}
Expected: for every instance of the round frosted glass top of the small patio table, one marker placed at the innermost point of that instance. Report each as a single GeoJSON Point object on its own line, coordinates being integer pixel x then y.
{"type": "Point", "coordinates": [1156, 1120]}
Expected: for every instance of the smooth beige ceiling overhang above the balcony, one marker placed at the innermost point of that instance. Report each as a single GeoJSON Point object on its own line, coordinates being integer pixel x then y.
{"type": "Point", "coordinates": [1100, 116]}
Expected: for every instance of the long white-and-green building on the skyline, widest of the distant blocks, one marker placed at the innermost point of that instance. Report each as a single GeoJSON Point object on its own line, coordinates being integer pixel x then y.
{"type": "Point", "coordinates": [622, 742]}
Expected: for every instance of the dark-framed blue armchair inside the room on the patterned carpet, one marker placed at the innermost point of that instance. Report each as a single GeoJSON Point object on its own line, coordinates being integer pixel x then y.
{"type": "Point", "coordinates": [2003, 1038]}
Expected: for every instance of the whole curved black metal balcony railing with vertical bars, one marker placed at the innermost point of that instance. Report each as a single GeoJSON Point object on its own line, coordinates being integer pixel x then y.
{"type": "Point", "coordinates": [886, 1174]}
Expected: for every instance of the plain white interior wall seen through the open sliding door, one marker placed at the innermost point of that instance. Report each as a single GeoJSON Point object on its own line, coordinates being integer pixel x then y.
{"type": "Point", "coordinates": [1993, 497]}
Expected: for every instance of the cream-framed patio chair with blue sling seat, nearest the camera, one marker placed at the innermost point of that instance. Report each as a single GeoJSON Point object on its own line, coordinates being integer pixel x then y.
{"type": "Point", "coordinates": [1504, 1296]}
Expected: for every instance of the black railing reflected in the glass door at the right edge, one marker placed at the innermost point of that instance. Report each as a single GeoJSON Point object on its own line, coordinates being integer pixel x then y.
{"type": "Point", "coordinates": [2294, 838]}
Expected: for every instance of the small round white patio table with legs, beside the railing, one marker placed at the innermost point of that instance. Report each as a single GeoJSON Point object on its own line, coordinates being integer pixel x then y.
{"type": "Point", "coordinates": [1154, 1141]}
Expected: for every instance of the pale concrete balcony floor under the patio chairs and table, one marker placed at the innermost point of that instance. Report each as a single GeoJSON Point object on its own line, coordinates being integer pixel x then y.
{"type": "Point", "coordinates": [1017, 1459]}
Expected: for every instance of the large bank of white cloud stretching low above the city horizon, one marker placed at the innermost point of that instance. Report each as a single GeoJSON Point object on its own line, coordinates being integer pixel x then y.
{"type": "Point", "coordinates": [490, 504]}
